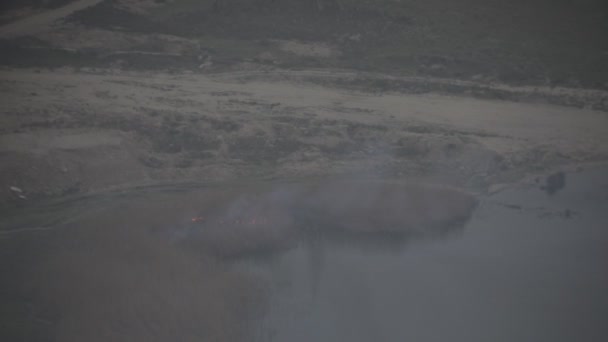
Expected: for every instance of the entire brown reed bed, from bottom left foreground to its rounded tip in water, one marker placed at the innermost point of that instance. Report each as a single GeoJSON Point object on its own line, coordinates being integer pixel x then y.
{"type": "Point", "coordinates": [112, 278]}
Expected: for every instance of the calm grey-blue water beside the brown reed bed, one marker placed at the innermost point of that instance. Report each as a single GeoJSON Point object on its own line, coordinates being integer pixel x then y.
{"type": "Point", "coordinates": [527, 267]}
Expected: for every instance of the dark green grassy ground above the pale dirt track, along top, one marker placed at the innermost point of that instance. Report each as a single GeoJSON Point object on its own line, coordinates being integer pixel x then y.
{"type": "Point", "coordinates": [519, 42]}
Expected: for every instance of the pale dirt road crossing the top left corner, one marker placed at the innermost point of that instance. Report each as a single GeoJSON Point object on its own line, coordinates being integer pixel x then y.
{"type": "Point", "coordinates": [43, 21]}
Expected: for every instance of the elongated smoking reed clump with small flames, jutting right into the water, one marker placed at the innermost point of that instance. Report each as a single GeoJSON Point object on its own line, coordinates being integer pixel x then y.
{"type": "Point", "coordinates": [273, 221]}
